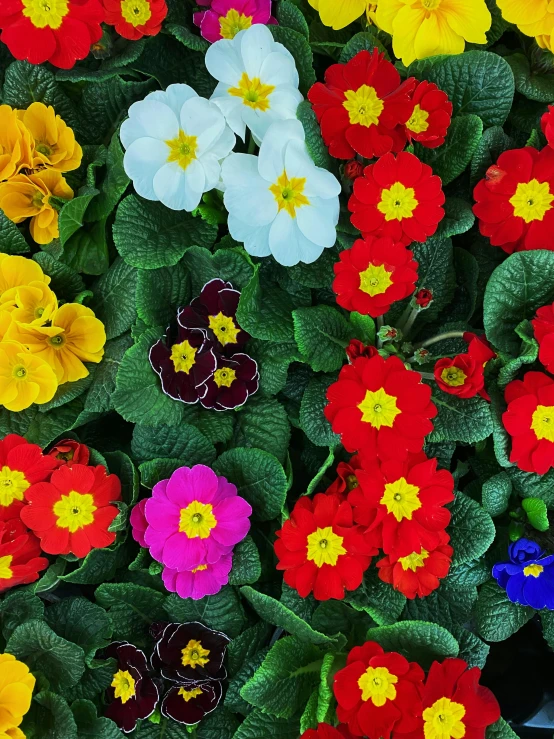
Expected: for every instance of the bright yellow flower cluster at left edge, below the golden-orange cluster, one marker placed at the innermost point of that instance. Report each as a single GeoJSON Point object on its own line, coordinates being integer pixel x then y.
{"type": "Point", "coordinates": [42, 345]}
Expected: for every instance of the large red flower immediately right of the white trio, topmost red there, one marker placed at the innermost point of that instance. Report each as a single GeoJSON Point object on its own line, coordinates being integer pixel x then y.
{"type": "Point", "coordinates": [362, 106]}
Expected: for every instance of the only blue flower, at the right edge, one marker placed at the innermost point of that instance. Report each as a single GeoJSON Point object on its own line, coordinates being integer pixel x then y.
{"type": "Point", "coordinates": [528, 577]}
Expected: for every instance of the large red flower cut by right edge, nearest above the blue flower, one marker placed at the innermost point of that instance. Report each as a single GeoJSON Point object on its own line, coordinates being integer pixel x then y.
{"type": "Point", "coordinates": [529, 420]}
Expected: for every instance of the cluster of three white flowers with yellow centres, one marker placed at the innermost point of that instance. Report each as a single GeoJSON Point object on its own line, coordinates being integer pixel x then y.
{"type": "Point", "coordinates": [178, 146]}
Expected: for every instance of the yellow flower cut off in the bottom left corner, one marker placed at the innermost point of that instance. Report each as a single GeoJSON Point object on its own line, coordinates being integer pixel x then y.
{"type": "Point", "coordinates": [16, 692]}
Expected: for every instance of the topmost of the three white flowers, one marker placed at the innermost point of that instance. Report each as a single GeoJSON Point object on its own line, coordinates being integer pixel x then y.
{"type": "Point", "coordinates": [258, 81]}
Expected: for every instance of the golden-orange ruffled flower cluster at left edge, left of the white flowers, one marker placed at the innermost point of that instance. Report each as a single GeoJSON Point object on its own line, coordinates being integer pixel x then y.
{"type": "Point", "coordinates": [36, 146]}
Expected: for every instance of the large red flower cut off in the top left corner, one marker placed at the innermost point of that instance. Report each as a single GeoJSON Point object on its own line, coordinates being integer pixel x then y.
{"type": "Point", "coordinates": [60, 32]}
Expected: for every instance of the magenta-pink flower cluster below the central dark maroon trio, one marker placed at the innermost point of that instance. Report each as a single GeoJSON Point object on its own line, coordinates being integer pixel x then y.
{"type": "Point", "coordinates": [191, 524]}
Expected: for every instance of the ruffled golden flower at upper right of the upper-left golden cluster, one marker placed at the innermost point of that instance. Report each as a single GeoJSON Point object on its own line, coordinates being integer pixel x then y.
{"type": "Point", "coordinates": [54, 141]}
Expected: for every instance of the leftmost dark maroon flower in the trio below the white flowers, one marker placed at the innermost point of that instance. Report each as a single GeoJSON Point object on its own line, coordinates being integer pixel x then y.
{"type": "Point", "coordinates": [184, 359]}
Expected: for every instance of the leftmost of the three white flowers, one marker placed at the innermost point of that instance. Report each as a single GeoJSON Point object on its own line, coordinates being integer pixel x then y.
{"type": "Point", "coordinates": [175, 141]}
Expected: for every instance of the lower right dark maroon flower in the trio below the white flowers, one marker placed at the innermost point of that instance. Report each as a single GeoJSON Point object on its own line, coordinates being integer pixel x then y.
{"type": "Point", "coordinates": [232, 382]}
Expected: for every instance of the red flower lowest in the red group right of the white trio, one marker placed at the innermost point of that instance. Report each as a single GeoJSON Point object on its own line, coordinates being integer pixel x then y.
{"type": "Point", "coordinates": [373, 274]}
